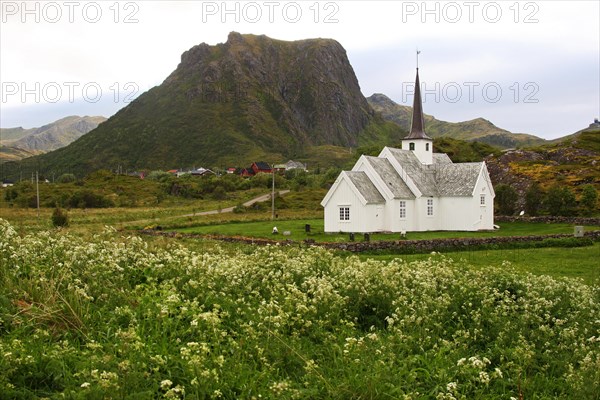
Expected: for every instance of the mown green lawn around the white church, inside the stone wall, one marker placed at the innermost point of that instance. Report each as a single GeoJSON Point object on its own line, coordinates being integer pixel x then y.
{"type": "Point", "coordinates": [263, 229]}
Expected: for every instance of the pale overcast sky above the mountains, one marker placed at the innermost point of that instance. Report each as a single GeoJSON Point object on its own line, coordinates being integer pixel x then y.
{"type": "Point", "coordinates": [527, 66]}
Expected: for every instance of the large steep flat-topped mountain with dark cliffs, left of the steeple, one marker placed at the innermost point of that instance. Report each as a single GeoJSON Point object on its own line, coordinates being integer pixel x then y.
{"type": "Point", "coordinates": [250, 98]}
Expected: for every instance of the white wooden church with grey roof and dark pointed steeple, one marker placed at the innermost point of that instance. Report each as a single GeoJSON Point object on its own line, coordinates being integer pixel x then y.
{"type": "Point", "coordinates": [411, 189]}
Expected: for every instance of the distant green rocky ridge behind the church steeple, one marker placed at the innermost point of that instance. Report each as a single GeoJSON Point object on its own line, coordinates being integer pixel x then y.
{"type": "Point", "coordinates": [478, 129]}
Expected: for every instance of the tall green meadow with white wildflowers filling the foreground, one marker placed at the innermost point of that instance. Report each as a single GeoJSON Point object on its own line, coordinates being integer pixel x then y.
{"type": "Point", "coordinates": [114, 317]}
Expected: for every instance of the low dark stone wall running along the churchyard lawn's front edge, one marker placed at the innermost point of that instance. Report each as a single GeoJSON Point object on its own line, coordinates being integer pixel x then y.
{"type": "Point", "coordinates": [400, 246]}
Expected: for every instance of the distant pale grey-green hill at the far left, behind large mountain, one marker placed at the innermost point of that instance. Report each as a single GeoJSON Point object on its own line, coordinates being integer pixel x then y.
{"type": "Point", "coordinates": [28, 142]}
